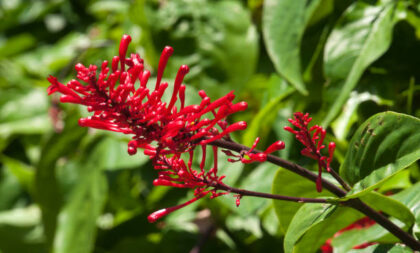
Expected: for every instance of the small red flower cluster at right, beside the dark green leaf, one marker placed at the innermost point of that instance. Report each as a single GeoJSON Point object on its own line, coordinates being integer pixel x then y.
{"type": "Point", "coordinates": [312, 139]}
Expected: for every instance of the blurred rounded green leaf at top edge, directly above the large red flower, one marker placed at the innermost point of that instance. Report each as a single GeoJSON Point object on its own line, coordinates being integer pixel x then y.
{"type": "Point", "coordinates": [216, 36]}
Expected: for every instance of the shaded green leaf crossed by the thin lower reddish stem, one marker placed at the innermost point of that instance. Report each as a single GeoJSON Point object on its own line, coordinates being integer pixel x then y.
{"type": "Point", "coordinates": [287, 183]}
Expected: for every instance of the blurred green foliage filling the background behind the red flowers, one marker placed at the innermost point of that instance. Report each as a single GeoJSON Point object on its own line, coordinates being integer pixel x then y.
{"type": "Point", "coordinates": [68, 189]}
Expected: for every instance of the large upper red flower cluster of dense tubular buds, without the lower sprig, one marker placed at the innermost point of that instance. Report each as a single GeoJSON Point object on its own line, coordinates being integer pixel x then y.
{"type": "Point", "coordinates": [139, 111]}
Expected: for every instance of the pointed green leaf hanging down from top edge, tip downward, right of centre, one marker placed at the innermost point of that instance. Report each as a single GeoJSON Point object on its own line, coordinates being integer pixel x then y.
{"type": "Point", "coordinates": [284, 23]}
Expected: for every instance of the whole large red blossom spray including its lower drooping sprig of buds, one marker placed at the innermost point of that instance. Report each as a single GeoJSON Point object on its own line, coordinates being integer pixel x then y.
{"type": "Point", "coordinates": [163, 130]}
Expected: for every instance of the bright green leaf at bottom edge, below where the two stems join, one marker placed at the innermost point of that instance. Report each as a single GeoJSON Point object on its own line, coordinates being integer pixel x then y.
{"type": "Point", "coordinates": [313, 224]}
